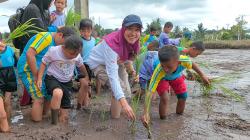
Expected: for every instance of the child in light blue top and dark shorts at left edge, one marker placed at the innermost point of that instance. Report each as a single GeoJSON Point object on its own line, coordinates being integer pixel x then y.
{"type": "Point", "coordinates": [8, 84]}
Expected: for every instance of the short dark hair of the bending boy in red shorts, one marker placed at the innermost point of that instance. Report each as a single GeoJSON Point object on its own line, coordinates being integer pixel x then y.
{"type": "Point", "coordinates": [168, 52]}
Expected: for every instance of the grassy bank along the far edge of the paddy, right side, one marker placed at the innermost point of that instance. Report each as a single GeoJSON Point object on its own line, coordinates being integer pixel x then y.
{"type": "Point", "coordinates": [228, 44]}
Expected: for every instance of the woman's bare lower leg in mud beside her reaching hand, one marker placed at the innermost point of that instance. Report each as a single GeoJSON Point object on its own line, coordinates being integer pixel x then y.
{"type": "Point", "coordinates": [115, 108]}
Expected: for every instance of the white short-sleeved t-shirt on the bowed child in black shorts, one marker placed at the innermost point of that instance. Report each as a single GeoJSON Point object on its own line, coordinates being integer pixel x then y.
{"type": "Point", "coordinates": [59, 66]}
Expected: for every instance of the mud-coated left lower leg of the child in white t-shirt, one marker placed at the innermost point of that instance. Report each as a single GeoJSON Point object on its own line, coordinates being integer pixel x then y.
{"type": "Point", "coordinates": [55, 104]}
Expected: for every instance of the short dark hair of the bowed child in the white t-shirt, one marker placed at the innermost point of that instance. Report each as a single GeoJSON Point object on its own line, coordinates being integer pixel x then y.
{"type": "Point", "coordinates": [73, 42]}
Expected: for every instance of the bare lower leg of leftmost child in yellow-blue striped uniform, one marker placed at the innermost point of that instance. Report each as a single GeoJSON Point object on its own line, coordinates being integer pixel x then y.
{"type": "Point", "coordinates": [37, 109]}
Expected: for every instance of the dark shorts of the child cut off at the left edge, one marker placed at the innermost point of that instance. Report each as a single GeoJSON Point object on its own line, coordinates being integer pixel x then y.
{"type": "Point", "coordinates": [8, 82]}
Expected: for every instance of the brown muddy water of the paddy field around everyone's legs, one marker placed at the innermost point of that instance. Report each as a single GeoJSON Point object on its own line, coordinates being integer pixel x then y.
{"type": "Point", "coordinates": [216, 117]}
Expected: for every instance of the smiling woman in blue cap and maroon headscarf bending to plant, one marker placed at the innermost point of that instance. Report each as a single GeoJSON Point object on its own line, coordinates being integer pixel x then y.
{"type": "Point", "coordinates": [107, 61]}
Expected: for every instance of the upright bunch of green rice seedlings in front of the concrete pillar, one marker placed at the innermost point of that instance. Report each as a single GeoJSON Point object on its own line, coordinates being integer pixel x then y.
{"type": "Point", "coordinates": [72, 18]}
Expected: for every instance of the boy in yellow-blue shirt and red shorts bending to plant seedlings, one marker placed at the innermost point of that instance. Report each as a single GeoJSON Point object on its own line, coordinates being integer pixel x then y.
{"type": "Point", "coordinates": [168, 66]}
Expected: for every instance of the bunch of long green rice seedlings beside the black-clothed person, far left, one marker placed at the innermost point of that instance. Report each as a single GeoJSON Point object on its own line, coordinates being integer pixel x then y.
{"type": "Point", "coordinates": [23, 30]}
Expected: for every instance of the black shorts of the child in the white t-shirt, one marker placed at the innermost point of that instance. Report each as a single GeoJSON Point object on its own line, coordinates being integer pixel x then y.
{"type": "Point", "coordinates": [52, 83]}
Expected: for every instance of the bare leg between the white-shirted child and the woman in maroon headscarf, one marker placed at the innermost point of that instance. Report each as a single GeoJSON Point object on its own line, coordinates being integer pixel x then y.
{"type": "Point", "coordinates": [83, 97]}
